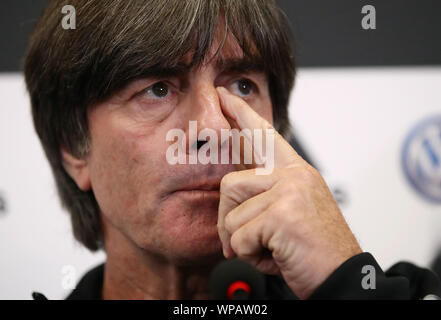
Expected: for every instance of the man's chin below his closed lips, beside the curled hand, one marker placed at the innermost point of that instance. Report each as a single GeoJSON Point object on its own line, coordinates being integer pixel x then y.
{"type": "Point", "coordinates": [184, 230]}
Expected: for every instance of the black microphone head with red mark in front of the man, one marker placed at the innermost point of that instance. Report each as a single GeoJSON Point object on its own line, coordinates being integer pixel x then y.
{"type": "Point", "coordinates": [237, 279]}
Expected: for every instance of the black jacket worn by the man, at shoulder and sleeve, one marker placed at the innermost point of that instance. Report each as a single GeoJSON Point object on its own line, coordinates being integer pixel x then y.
{"type": "Point", "coordinates": [402, 281]}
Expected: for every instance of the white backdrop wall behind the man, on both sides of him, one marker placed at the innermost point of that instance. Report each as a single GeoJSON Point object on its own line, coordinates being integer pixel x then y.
{"type": "Point", "coordinates": [352, 122]}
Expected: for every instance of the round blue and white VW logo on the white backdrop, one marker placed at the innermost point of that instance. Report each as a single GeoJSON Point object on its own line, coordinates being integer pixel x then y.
{"type": "Point", "coordinates": [421, 158]}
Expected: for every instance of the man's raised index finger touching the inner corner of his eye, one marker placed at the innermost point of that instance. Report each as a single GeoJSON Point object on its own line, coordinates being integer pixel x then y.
{"type": "Point", "coordinates": [244, 116]}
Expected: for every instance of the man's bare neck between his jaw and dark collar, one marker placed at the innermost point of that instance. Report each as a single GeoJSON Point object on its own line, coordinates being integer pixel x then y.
{"type": "Point", "coordinates": [134, 273]}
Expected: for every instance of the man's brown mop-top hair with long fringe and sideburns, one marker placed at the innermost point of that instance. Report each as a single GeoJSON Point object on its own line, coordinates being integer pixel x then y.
{"type": "Point", "coordinates": [116, 41]}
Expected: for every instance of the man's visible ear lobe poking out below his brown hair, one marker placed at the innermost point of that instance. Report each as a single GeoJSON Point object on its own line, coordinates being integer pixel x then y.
{"type": "Point", "coordinates": [77, 169]}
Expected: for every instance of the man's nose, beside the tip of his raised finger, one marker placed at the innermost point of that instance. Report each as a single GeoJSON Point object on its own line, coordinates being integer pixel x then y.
{"type": "Point", "coordinates": [204, 108]}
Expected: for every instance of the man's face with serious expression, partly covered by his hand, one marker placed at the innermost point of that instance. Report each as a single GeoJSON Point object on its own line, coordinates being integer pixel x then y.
{"type": "Point", "coordinates": [169, 210]}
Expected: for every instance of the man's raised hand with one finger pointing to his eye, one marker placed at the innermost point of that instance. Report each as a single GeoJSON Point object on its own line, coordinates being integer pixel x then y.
{"type": "Point", "coordinates": [284, 223]}
